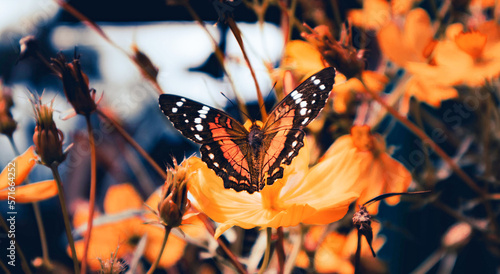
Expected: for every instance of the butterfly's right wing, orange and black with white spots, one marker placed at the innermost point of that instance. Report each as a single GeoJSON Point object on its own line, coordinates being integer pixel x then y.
{"type": "Point", "coordinates": [283, 128]}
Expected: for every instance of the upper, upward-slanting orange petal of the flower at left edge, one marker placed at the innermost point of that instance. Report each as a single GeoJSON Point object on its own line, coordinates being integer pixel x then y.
{"type": "Point", "coordinates": [19, 168]}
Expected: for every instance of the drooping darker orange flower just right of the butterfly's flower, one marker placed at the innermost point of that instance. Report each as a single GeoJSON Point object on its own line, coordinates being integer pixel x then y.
{"type": "Point", "coordinates": [378, 172]}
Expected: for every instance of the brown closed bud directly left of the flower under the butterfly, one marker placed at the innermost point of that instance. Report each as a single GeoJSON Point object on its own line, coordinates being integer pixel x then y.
{"type": "Point", "coordinates": [174, 202]}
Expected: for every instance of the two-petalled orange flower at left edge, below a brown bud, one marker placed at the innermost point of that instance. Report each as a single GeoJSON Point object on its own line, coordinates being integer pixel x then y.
{"type": "Point", "coordinates": [16, 172]}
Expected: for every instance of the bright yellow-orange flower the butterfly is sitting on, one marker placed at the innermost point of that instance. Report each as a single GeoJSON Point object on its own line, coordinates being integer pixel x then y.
{"type": "Point", "coordinates": [319, 195]}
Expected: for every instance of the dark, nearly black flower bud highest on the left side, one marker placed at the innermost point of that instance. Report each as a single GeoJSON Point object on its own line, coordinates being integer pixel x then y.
{"type": "Point", "coordinates": [75, 84]}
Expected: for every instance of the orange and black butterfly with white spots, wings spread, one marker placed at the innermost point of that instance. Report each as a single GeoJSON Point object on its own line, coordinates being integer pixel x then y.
{"type": "Point", "coordinates": [248, 159]}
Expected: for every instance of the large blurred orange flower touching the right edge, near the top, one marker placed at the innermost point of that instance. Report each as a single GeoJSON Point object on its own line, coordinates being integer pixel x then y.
{"type": "Point", "coordinates": [463, 58]}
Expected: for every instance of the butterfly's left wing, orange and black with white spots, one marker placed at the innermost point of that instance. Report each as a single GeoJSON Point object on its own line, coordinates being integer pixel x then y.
{"type": "Point", "coordinates": [224, 140]}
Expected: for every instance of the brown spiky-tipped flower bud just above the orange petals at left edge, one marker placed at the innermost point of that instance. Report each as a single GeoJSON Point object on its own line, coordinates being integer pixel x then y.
{"type": "Point", "coordinates": [47, 138]}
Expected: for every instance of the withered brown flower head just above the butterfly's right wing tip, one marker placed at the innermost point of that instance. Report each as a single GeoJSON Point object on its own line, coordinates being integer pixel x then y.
{"type": "Point", "coordinates": [344, 57]}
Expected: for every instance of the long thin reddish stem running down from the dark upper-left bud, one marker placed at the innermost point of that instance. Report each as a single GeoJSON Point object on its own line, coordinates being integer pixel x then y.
{"type": "Point", "coordinates": [93, 178]}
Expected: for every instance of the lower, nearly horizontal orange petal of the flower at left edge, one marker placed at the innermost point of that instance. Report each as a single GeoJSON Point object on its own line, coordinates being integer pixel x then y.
{"type": "Point", "coordinates": [32, 193]}
